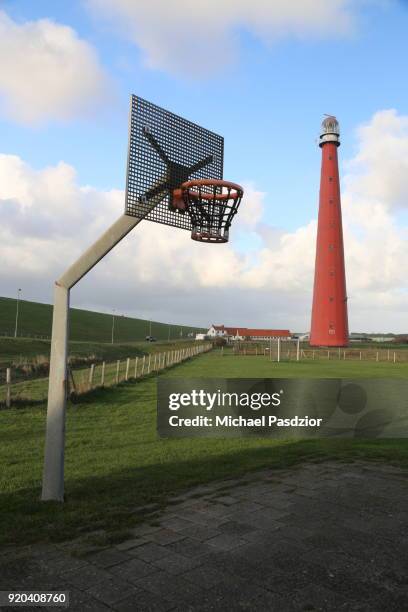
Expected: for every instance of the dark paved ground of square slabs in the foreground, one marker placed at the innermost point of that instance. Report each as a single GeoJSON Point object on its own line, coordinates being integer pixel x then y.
{"type": "Point", "coordinates": [324, 536]}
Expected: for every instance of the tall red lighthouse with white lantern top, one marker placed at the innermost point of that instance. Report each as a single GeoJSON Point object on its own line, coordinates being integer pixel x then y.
{"type": "Point", "coordinates": [329, 311]}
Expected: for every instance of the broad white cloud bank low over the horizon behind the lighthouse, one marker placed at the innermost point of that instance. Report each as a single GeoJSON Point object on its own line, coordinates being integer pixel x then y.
{"type": "Point", "coordinates": [48, 219]}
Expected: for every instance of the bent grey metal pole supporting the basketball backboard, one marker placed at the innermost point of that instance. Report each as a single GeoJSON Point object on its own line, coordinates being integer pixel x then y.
{"type": "Point", "coordinates": [53, 475]}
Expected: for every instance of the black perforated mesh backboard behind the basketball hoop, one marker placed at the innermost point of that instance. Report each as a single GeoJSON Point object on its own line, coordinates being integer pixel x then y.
{"type": "Point", "coordinates": [166, 150]}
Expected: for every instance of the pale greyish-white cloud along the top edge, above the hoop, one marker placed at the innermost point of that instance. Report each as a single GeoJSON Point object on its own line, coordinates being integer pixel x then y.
{"type": "Point", "coordinates": [194, 38]}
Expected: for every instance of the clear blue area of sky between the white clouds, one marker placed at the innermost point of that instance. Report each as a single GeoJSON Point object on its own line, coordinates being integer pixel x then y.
{"type": "Point", "coordinates": [268, 106]}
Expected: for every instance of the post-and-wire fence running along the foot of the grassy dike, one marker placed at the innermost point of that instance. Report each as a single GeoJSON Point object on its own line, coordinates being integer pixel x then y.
{"type": "Point", "coordinates": [96, 375]}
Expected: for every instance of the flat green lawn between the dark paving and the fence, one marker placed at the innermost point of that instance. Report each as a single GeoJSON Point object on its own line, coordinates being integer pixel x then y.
{"type": "Point", "coordinates": [115, 464]}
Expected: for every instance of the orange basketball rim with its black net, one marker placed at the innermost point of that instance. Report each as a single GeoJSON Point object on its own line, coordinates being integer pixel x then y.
{"type": "Point", "coordinates": [211, 205]}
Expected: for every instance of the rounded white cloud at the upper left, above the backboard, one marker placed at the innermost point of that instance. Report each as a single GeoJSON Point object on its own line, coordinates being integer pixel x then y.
{"type": "Point", "coordinates": [46, 71]}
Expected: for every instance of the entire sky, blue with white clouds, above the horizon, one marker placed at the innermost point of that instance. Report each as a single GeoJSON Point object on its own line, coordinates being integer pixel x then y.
{"type": "Point", "coordinates": [262, 74]}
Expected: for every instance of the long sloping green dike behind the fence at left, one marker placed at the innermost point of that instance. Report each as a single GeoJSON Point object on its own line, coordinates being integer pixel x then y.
{"type": "Point", "coordinates": [35, 320]}
